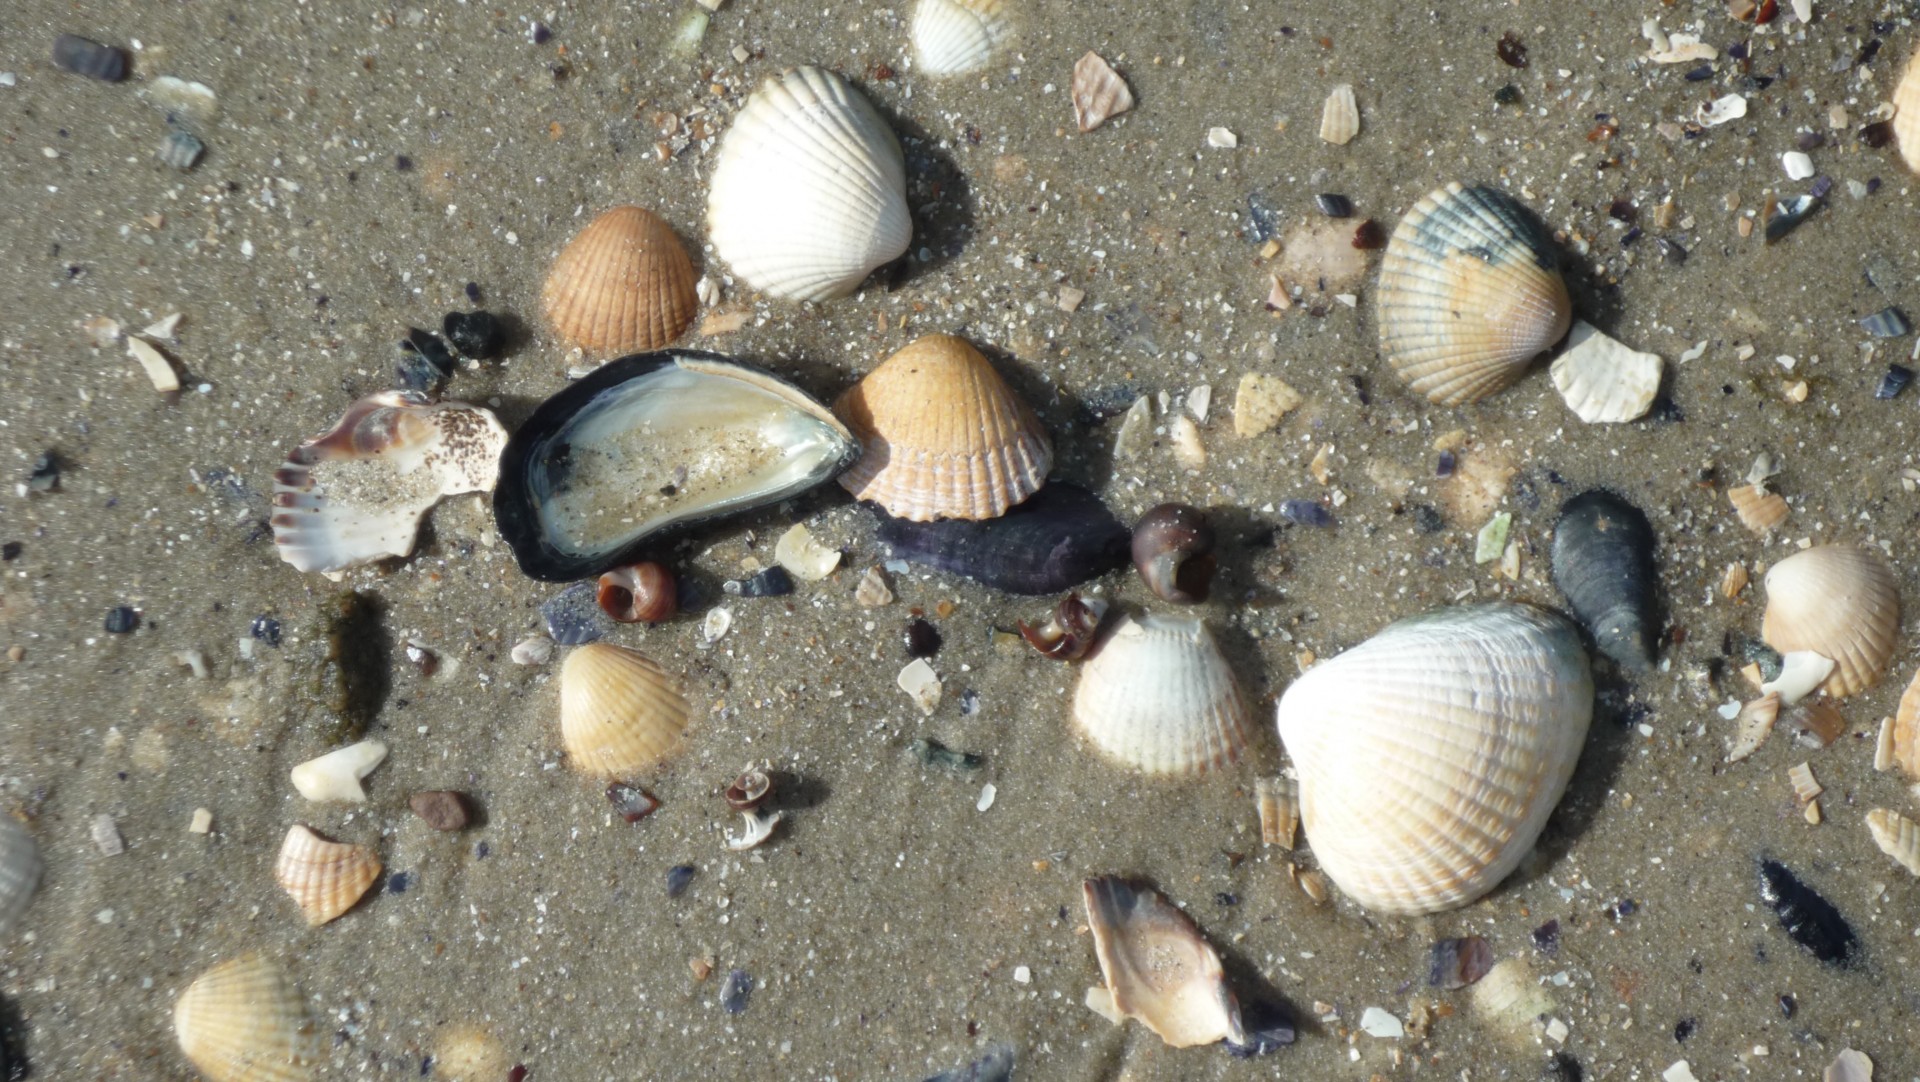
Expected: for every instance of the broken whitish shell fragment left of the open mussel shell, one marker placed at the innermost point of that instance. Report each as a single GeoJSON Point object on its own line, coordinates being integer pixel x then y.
{"type": "Point", "coordinates": [358, 492]}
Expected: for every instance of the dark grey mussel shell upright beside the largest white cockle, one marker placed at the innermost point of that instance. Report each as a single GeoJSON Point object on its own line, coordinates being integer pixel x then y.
{"type": "Point", "coordinates": [1604, 565]}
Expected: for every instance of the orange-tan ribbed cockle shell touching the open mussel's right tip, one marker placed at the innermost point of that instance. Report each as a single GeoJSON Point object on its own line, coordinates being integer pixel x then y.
{"type": "Point", "coordinates": [944, 436]}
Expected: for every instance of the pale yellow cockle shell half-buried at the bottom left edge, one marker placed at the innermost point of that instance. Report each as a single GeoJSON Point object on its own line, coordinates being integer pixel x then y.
{"type": "Point", "coordinates": [245, 1022]}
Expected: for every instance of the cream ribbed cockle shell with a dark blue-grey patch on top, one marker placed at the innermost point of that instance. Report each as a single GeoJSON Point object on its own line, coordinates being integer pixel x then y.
{"type": "Point", "coordinates": [1470, 294]}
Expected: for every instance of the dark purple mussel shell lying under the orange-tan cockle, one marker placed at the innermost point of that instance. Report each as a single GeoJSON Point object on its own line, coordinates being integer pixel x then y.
{"type": "Point", "coordinates": [1057, 540]}
